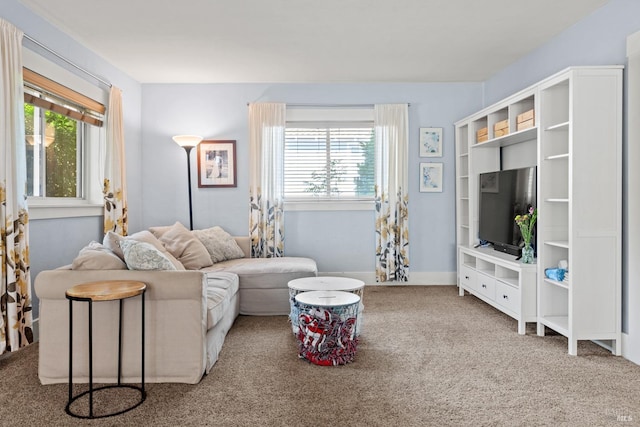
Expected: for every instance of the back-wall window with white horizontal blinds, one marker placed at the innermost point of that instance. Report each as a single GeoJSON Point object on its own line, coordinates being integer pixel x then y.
{"type": "Point", "coordinates": [327, 157]}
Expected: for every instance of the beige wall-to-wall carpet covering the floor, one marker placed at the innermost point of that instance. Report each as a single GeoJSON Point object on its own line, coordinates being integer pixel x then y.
{"type": "Point", "coordinates": [426, 358]}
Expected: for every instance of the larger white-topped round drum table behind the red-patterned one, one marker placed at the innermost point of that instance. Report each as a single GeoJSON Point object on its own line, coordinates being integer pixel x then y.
{"type": "Point", "coordinates": [324, 283]}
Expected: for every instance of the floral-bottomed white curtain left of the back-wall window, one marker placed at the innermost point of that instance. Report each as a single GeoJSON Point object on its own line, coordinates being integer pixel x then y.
{"type": "Point", "coordinates": [266, 147]}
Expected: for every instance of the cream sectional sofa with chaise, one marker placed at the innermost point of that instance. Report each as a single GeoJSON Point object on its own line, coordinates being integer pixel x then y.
{"type": "Point", "coordinates": [187, 315]}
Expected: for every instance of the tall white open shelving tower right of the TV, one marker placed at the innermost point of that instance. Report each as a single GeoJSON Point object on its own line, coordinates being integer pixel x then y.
{"type": "Point", "coordinates": [579, 197]}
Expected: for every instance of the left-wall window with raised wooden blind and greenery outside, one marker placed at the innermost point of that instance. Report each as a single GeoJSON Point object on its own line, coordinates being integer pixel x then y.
{"type": "Point", "coordinates": [63, 139]}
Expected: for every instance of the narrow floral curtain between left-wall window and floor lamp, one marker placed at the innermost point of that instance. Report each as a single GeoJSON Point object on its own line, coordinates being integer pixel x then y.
{"type": "Point", "coordinates": [114, 188]}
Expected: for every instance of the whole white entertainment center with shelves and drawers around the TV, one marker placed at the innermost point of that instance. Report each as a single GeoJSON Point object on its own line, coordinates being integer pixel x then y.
{"type": "Point", "coordinates": [569, 126]}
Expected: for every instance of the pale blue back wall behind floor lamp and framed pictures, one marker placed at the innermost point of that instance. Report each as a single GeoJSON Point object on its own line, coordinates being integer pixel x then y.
{"type": "Point", "coordinates": [340, 241]}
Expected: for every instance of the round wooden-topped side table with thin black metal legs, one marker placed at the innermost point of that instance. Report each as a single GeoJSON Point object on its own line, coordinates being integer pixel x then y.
{"type": "Point", "coordinates": [110, 290]}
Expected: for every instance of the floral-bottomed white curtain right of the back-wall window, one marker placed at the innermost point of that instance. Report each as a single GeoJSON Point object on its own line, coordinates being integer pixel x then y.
{"type": "Point", "coordinates": [392, 192]}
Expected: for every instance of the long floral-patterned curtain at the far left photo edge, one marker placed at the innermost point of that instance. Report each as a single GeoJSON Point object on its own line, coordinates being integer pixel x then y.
{"type": "Point", "coordinates": [15, 283]}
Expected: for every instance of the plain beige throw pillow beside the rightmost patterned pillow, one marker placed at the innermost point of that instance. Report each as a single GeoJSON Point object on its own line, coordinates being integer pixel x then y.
{"type": "Point", "coordinates": [179, 241]}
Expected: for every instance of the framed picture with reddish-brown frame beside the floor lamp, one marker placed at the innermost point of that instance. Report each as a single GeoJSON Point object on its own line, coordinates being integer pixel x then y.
{"type": "Point", "coordinates": [217, 164]}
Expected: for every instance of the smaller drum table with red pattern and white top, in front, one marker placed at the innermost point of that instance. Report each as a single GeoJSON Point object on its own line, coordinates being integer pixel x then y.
{"type": "Point", "coordinates": [327, 327]}
